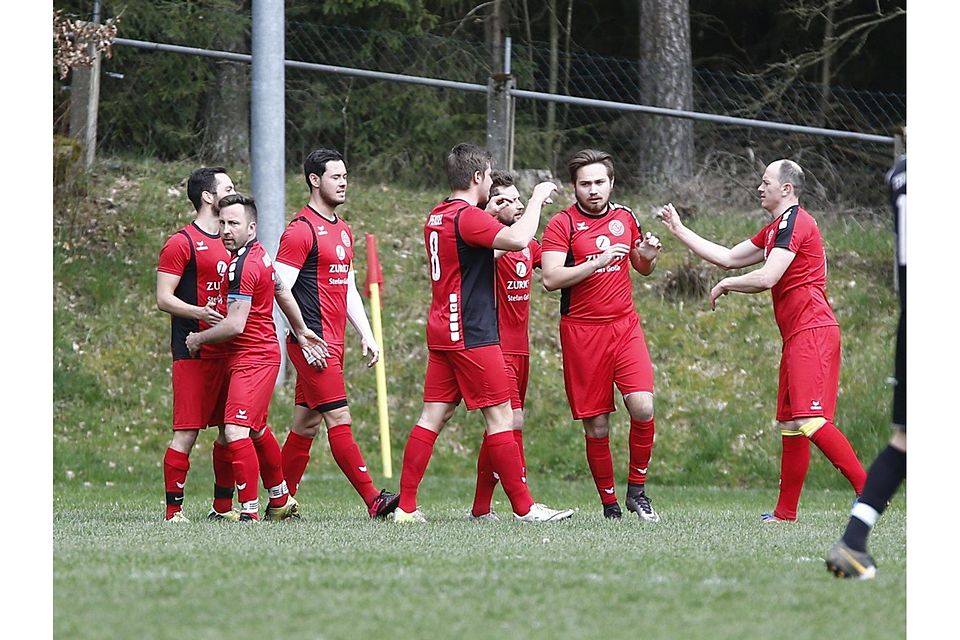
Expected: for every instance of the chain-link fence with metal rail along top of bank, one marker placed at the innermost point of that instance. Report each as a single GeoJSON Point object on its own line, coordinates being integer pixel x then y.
{"type": "Point", "coordinates": [401, 131]}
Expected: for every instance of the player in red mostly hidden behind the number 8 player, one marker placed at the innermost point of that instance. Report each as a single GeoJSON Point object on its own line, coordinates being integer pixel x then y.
{"type": "Point", "coordinates": [513, 278]}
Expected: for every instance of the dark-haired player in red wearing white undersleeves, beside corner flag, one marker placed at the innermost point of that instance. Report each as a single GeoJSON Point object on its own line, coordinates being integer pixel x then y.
{"type": "Point", "coordinates": [315, 260]}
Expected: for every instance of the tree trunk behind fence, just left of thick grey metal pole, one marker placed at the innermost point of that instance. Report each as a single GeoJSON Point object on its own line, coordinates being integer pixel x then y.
{"type": "Point", "coordinates": [226, 138]}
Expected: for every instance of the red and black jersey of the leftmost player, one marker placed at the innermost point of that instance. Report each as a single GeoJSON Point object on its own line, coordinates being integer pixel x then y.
{"type": "Point", "coordinates": [200, 260]}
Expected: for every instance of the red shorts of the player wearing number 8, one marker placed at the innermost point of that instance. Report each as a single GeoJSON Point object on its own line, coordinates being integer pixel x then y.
{"type": "Point", "coordinates": [478, 376]}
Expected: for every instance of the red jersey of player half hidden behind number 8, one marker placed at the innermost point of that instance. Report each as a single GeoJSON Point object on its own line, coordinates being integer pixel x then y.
{"type": "Point", "coordinates": [514, 276]}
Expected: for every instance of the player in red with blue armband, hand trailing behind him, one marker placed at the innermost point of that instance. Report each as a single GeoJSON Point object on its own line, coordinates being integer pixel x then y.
{"type": "Point", "coordinates": [250, 335]}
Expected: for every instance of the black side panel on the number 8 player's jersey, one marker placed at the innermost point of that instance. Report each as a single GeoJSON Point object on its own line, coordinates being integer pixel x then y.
{"type": "Point", "coordinates": [478, 306]}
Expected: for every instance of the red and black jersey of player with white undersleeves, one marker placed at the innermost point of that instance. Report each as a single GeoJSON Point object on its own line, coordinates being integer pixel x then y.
{"type": "Point", "coordinates": [323, 252]}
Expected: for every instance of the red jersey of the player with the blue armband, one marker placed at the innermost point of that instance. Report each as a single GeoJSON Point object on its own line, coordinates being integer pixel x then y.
{"type": "Point", "coordinates": [250, 277]}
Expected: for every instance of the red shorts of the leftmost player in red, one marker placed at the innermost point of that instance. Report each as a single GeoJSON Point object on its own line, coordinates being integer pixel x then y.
{"type": "Point", "coordinates": [199, 392]}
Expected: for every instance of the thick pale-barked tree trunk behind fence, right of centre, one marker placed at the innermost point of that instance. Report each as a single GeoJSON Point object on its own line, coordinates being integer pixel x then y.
{"type": "Point", "coordinates": [665, 148]}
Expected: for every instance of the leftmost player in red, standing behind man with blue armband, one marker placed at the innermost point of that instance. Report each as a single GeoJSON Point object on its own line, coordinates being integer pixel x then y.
{"type": "Point", "coordinates": [191, 266]}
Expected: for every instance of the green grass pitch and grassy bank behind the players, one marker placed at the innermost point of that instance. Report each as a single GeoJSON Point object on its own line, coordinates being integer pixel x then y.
{"type": "Point", "coordinates": [709, 570]}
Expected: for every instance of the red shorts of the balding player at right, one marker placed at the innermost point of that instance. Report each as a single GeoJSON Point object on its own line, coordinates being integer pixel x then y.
{"type": "Point", "coordinates": [809, 374]}
